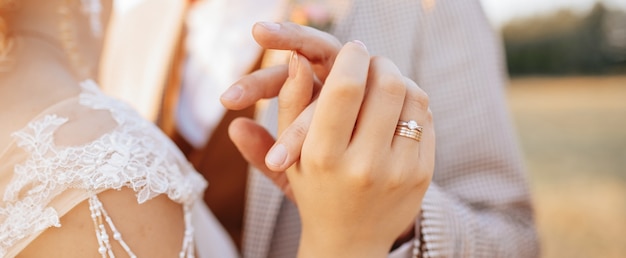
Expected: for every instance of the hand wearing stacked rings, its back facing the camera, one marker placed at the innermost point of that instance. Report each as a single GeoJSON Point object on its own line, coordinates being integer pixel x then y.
{"type": "Point", "coordinates": [357, 183]}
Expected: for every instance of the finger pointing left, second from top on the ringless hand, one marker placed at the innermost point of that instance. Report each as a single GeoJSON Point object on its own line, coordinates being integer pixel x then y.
{"type": "Point", "coordinates": [264, 83]}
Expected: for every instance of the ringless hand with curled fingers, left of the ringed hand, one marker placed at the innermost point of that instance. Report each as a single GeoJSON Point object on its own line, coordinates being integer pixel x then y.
{"type": "Point", "coordinates": [253, 140]}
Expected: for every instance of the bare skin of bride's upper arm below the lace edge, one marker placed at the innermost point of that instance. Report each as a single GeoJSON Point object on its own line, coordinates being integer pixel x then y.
{"type": "Point", "coordinates": [151, 229]}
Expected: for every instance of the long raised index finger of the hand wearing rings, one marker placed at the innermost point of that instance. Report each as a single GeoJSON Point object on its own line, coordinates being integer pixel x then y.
{"type": "Point", "coordinates": [339, 101]}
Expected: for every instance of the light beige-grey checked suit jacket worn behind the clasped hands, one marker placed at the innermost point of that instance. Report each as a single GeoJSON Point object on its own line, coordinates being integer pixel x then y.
{"type": "Point", "coordinates": [478, 204]}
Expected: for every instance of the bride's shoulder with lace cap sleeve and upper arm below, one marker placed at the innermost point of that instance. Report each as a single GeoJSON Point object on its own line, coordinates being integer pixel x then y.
{"type": "Point", "coordinates": [94, 143]}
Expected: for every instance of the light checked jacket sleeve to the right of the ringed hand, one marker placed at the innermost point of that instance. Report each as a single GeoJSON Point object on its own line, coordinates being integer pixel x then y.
{"type": "Point", "coordinates": [478, 204]}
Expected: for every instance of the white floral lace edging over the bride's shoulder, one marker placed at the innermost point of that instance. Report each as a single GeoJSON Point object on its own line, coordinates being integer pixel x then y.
{"type": "Point", "coordinates": [134, 155]}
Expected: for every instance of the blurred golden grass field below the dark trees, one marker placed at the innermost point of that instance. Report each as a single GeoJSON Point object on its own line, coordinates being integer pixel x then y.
{"type": "Point", "coordinates": [573, 133]}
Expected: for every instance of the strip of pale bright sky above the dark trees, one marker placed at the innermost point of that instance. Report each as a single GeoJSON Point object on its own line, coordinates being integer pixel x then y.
{"type": "Point", "coordinates": [501, 11]}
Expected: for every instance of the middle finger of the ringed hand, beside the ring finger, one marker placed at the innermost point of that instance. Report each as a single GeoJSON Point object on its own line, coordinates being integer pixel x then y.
{"type": "Point", "coordinates": [382, 105]}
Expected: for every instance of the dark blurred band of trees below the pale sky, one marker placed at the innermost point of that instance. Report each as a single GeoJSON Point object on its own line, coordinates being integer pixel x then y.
{"type": "Point", "coordinates": [565, 43]}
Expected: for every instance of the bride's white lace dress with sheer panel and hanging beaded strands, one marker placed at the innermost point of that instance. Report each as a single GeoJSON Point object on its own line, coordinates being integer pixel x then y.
{"type": "Point", "coordinates": [67, 155]}
